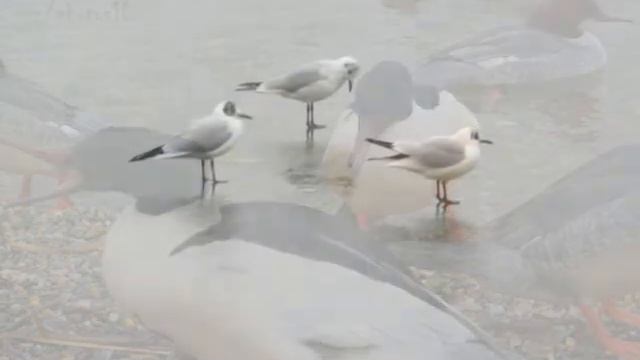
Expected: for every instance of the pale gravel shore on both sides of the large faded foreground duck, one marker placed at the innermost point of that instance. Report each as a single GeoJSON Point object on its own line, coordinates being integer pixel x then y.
{"type": "Point", "coordinates": [57, 307]}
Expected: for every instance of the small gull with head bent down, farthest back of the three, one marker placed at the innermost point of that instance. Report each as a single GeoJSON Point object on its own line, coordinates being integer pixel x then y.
{"type": "Point", "coordinates": [310, 83]}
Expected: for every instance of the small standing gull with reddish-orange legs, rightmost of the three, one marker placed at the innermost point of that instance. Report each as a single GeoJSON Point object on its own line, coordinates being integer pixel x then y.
{"type": "Point", "coordinates": [441, 158]}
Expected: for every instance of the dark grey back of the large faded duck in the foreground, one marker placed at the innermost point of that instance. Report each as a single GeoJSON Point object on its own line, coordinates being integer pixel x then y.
{"type": "Point", "coordinates": [312, 234]}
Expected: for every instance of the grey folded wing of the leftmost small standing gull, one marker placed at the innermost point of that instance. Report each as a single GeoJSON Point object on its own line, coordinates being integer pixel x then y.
{"type": "Point", "coordinates": [206, 137]}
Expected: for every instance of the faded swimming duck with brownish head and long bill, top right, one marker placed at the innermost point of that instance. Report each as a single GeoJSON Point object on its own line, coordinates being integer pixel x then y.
{"type": "Point", "coordinates": [550, 46]}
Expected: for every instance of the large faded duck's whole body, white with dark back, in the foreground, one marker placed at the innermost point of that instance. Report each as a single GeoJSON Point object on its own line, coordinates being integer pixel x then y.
{"type": "Point", "coordinates": [263, 281]}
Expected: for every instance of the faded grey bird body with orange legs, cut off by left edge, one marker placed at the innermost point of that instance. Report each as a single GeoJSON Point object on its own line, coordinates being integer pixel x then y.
{"type": "Point", "coordinates": [39, 143]}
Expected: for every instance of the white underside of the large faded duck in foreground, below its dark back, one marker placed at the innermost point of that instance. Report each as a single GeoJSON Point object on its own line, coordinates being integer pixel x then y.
{"type": "Point", "coordinates": [233, 299]}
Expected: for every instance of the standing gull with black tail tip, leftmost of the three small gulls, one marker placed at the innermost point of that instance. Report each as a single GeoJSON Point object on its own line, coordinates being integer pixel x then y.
{"type": "Point", "coordinates": [206, 138]}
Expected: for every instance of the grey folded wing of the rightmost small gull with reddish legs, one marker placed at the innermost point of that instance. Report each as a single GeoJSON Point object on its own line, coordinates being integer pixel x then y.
{"type": "Point", "coordinates": [438, 153]}
